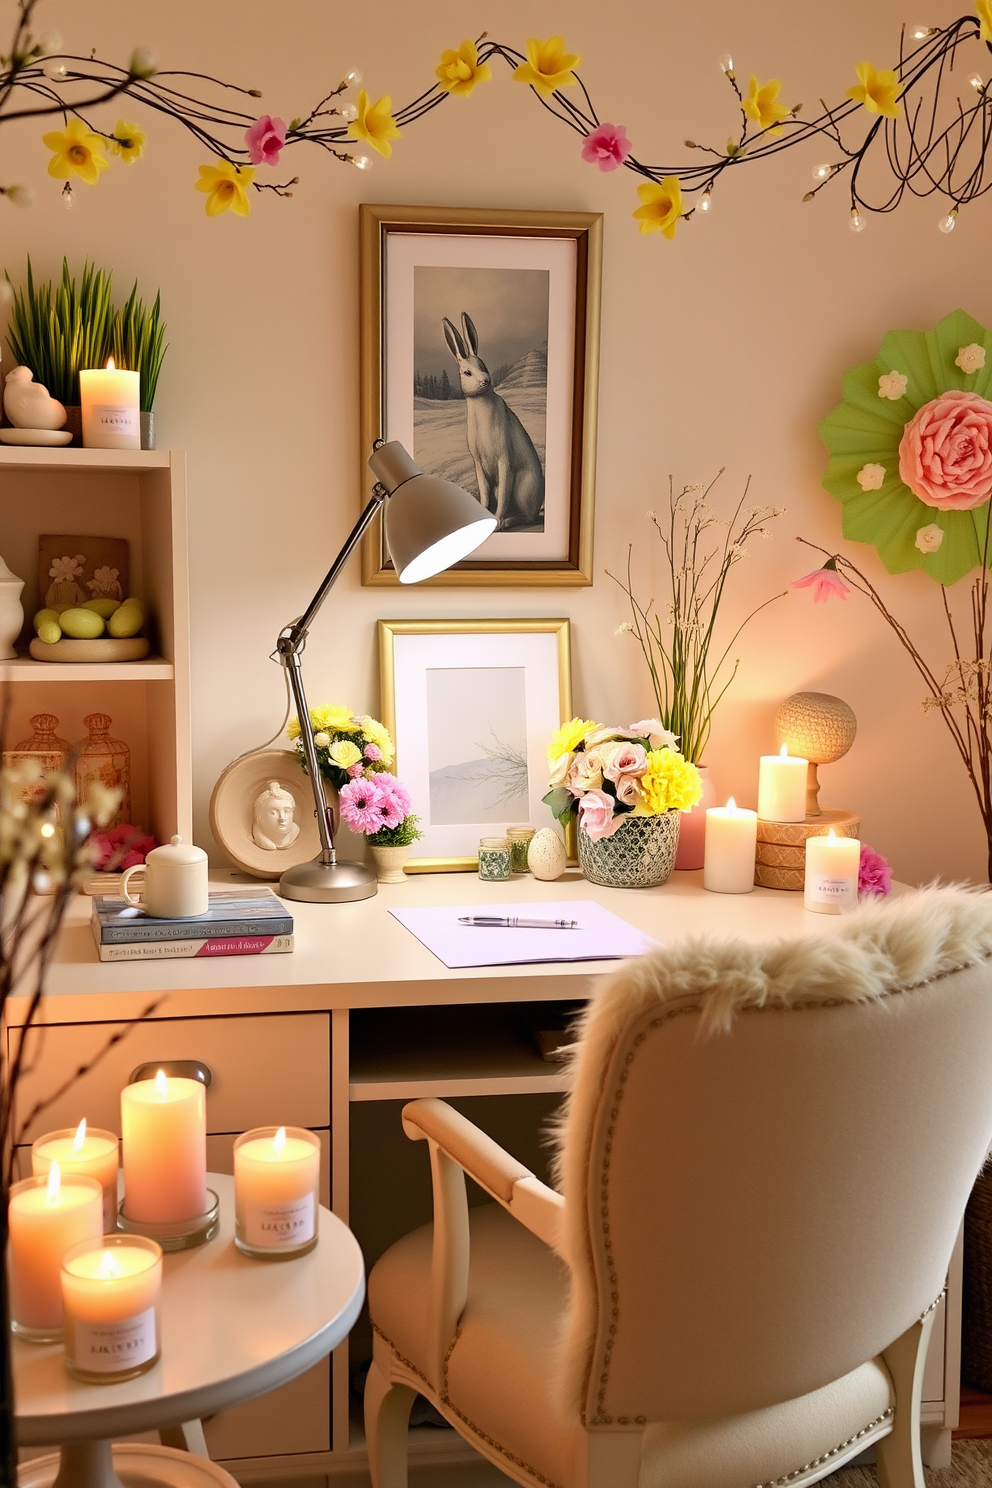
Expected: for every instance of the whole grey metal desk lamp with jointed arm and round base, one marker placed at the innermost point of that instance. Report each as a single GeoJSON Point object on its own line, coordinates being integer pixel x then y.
{"type": "Point", "coordinates": [429, 526]}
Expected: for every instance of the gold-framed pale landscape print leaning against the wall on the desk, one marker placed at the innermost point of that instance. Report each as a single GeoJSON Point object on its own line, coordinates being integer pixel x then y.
{"type": "Point", "coordinates": [471, 706]}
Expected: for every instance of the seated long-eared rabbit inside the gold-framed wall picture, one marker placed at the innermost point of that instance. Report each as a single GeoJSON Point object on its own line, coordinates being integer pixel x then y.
{"type": "Point", "coordinates": [508, 465]}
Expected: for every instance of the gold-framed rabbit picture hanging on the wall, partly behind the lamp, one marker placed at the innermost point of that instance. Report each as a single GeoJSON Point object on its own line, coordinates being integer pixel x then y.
{"type": "Point", "coordinates": [480, 353]}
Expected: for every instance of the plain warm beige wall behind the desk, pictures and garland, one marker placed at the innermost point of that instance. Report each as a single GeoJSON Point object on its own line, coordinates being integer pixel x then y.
{"type": "Point", "coordinates": [721, 349]}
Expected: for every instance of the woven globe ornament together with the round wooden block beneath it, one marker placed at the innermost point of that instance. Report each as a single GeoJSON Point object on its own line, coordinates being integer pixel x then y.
{"type": "Point", "coordinates": [820, 728]}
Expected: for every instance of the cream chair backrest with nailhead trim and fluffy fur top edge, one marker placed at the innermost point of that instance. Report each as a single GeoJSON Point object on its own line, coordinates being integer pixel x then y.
{"type": "Point", "coordinates": [768, 1154]}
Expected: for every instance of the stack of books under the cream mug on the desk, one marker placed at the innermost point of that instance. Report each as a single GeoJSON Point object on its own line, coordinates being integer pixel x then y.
{"type": "Point", "coordinates": [252, 923]}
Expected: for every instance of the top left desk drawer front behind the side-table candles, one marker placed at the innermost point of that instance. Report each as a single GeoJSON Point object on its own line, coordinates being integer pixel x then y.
{"type": "Point", "coordinates": [267, 1071]}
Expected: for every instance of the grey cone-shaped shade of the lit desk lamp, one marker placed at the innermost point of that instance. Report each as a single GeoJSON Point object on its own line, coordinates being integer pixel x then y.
{"type": "Point", "coordinates": [431, 523]}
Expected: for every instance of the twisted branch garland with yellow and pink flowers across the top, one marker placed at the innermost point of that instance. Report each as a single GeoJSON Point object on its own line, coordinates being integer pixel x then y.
{"type": "Point", "coordinates": [924, 154]}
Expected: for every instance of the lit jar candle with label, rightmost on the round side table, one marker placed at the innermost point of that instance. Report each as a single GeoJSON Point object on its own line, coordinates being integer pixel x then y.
{"type": "Point", "coordinates": [276, 1175]}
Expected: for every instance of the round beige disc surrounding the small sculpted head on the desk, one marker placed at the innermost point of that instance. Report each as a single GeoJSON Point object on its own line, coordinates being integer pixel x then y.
{"type": "Point", "coordinates": [233, 812]}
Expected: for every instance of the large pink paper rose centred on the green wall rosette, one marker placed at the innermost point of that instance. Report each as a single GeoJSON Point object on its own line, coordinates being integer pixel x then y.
{"type": "Point", "coordinates": [945, 455]}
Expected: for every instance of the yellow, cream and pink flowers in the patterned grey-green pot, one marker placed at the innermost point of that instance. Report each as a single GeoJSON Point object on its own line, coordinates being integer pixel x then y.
{"type": "Point", "coordinates": [602, 775]}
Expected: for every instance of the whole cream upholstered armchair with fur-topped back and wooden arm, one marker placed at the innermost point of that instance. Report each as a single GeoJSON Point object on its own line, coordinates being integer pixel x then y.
{"type": "Point", "coordinates": [764, 1166]}
